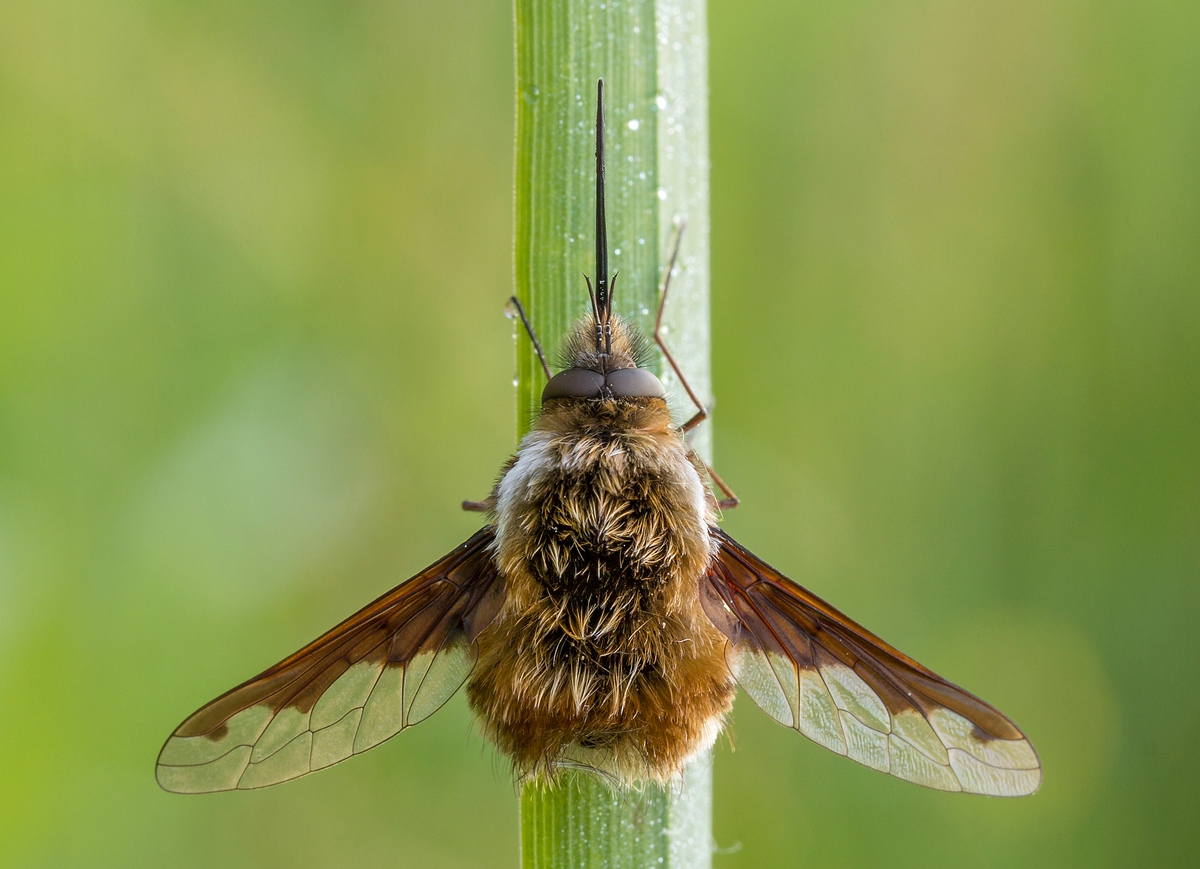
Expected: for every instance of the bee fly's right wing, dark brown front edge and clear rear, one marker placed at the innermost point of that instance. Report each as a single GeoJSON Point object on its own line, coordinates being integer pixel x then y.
{"type": "Point", "coordinates": [813, 669]}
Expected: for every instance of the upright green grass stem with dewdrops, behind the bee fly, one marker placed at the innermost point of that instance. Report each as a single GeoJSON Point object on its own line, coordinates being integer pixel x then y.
{"type": "Point", "coordinates": [653, 58]}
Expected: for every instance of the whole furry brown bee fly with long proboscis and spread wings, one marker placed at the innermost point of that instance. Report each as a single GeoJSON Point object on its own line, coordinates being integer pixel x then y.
{"type": "Point", "coordinates": [601, 620]}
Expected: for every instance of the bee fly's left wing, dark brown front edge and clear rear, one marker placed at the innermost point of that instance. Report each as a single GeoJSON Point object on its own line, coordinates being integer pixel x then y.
{"type": "Point", "coordinates": [386, 668]}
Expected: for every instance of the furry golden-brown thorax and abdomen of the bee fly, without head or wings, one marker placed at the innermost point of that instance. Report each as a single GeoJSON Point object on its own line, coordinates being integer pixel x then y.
{"type": "Point", "coordinates": [602, 656]}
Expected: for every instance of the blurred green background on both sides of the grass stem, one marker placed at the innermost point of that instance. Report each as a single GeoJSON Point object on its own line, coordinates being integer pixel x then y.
{"type": "Point", "coordinates": [253, 262]}
